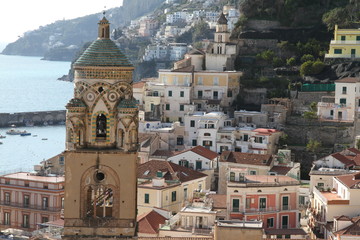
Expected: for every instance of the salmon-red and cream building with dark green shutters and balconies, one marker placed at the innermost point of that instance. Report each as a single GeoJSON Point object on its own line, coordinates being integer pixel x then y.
{"type": "Point", "coordinates": [273, 199]}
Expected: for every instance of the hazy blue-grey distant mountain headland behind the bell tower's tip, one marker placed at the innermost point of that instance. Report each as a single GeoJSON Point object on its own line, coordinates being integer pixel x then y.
{"type": "Point", "coordinates": [62, 39]}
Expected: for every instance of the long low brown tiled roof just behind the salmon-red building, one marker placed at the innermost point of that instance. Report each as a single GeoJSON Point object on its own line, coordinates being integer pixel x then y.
{"type": "Point", "coordinates": [246, 158]}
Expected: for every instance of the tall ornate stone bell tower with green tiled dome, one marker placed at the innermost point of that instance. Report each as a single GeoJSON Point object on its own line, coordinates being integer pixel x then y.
{"type": "Point", "coordinates": [101, 144]}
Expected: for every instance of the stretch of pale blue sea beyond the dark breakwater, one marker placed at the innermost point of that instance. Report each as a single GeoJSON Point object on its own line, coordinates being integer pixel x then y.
{"type": "Point", "coordinates": [29, 84]}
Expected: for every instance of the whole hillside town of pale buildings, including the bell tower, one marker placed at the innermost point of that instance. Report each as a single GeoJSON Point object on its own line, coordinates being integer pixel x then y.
{"type": "Point", "coordinates": [196, 164]}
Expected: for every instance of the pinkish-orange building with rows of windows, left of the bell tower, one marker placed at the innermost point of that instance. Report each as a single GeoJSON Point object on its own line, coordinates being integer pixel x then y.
{"type": "Point", "coordinates": [28, 199]}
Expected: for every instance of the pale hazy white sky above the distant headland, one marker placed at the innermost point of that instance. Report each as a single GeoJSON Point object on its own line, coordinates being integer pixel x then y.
{"type": "Point", "coordinates": [19, 16]}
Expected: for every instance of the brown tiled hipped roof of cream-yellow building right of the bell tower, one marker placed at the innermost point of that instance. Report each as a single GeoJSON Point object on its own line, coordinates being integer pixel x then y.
{"type": "Point", "coordinates": [171, 171]}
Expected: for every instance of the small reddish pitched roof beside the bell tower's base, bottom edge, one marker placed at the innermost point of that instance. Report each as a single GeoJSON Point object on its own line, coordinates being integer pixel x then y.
{"type": "Point", "coordinates": [149, 222]}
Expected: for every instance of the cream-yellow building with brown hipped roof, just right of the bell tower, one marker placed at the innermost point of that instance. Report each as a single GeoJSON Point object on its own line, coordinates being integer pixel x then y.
{"type": "Point", "coordinates": [166, 185]}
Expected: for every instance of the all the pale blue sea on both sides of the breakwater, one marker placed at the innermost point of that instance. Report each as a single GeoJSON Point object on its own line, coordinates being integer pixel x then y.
{"type": "Point", "coordinates": [30, 84]}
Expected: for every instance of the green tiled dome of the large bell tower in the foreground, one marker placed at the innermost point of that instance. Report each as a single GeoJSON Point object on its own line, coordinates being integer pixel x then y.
{"type": "Point", "coordinates": [103, 52]}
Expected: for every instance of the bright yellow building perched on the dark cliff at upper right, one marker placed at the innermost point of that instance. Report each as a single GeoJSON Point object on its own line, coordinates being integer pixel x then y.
{"type": "Point", "coordinates": [346, 44]}
